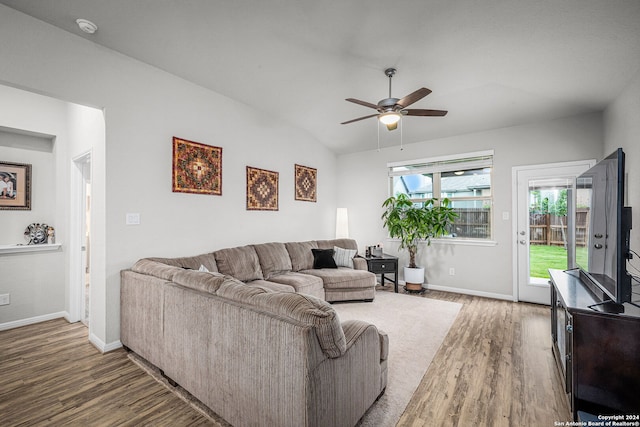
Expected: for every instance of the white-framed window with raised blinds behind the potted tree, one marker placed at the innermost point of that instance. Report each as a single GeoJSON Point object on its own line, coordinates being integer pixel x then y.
{"type": "Point", "coordinates": [464, 179]}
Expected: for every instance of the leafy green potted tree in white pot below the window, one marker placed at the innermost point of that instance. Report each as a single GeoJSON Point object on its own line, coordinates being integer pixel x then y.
{"type": "Point", "coordinates": [411, 224]}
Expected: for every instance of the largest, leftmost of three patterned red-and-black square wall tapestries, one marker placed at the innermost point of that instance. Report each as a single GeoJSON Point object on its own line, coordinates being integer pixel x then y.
{"type": "Point", "coordinates": [197, 168]}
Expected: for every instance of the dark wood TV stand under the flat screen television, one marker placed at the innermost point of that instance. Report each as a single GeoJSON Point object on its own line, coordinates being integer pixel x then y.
{"type": "Point", "coordinates": [597, 349]}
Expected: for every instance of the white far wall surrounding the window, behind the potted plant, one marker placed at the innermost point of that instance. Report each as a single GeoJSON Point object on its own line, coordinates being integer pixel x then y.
{"type": "Point", "coordinates": [482, 270]}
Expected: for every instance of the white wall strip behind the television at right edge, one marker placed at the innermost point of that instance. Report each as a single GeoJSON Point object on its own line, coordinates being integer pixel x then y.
{"type": "Point", "coordinates": [622, 129]}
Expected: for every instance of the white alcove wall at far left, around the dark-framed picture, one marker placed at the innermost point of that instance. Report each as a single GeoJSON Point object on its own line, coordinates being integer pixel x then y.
{"type": "Point", "coordinates": [35, 281]}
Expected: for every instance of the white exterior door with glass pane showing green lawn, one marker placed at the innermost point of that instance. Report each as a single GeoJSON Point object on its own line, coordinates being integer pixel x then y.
{"type": "Point", "coordinates": [542, 226]}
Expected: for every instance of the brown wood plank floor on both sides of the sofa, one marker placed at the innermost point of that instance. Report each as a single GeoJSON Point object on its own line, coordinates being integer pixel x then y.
{"type": "Point", "coordinates": [495, 368]}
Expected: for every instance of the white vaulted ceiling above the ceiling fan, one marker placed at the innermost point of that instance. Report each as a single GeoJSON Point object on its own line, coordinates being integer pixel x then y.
{"type": "Point", "coordinates": [490, 63]}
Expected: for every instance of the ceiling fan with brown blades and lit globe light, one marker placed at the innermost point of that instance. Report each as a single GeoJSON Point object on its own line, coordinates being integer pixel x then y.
{"type": "Point", "coordinates": [390, 110]}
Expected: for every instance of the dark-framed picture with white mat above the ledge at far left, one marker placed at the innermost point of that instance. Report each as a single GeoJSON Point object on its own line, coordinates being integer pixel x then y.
{"type": "Point", "coordinates": [15, 186]}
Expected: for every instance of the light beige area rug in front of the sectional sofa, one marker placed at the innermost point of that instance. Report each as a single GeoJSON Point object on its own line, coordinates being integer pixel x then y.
{"type": "Point", "coordinates": [416, 327]}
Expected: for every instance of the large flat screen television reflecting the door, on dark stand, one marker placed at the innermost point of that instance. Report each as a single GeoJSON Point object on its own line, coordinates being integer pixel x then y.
{"type": "Point", "coordinates": [602, 228]}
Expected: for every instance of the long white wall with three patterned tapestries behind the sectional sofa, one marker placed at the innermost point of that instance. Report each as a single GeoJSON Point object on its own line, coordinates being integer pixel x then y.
{"type": "Point", "coordinates": [144, 108]}
